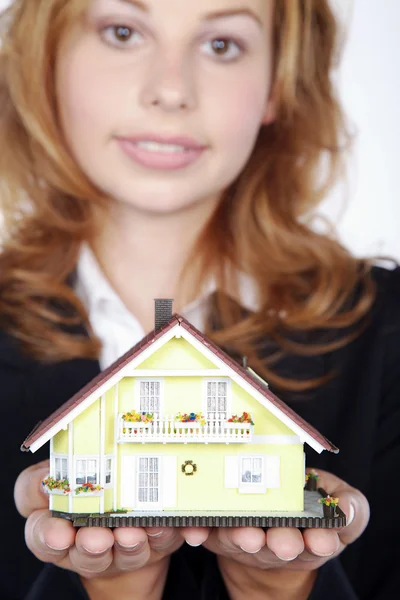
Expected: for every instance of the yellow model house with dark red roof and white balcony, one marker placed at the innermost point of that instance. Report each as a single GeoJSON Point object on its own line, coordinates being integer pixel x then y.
{"type": "Point", "coordinates": [176, 432]}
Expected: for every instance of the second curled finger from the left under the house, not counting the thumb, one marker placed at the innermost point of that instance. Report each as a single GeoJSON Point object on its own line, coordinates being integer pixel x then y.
{"type": "Point", "coordinates": [92, 553]}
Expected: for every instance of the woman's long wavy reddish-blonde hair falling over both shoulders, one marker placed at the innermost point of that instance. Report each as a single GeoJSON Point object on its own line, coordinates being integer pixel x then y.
{"type": "Point", "coordinates": [306, 279]}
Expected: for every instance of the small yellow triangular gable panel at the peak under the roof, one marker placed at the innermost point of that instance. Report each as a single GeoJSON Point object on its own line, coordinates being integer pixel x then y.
{"type": "Point", "coordinates": [177, 354]}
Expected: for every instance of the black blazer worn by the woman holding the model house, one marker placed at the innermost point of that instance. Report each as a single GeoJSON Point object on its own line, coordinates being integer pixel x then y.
{"type": "Point", "coordinates": [359, 410]}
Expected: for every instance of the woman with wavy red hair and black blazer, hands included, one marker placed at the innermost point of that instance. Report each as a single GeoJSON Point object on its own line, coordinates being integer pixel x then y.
{"type": "Point", "coordinates": [174, 149]}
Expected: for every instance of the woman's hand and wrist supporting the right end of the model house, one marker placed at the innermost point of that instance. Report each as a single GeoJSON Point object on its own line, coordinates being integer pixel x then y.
{"type": "Point", "coordinates": [281, 550]}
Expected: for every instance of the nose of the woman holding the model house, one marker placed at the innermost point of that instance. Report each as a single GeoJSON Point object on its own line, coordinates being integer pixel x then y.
{"type": "Point", "coordinates": [170, 84]}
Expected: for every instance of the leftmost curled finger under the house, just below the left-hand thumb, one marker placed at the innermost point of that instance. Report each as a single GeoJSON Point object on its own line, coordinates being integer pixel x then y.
{"type": "Point", "coordinates": [48, 538]}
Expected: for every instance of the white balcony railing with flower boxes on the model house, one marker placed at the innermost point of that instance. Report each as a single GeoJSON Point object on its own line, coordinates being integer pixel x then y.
{"type": "Point", "coordinates": [164, 429]}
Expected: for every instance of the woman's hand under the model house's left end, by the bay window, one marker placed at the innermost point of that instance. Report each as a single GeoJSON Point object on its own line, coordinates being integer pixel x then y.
{"type": "Point", "coordinates": [91, 551]}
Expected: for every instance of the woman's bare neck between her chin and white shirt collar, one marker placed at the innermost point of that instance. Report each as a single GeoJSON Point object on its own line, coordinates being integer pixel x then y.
{"type": "Point", "coordinates": [142, 255]}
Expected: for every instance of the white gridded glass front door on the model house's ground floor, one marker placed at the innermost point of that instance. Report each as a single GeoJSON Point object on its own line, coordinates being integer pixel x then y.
{"type": "Point", "coordinates": [148, 482]}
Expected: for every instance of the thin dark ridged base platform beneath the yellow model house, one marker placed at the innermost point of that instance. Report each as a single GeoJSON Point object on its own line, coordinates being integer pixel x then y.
{"type": "Point", "coordinates": [311, 517]}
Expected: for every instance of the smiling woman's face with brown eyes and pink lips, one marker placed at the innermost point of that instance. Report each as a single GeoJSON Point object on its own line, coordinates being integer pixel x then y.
{"type": "Point", "coordinates": [138, 69]}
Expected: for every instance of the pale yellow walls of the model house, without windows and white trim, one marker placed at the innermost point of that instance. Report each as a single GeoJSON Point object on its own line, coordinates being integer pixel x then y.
{"type": "Point", "coordinates": [186, 395]}
